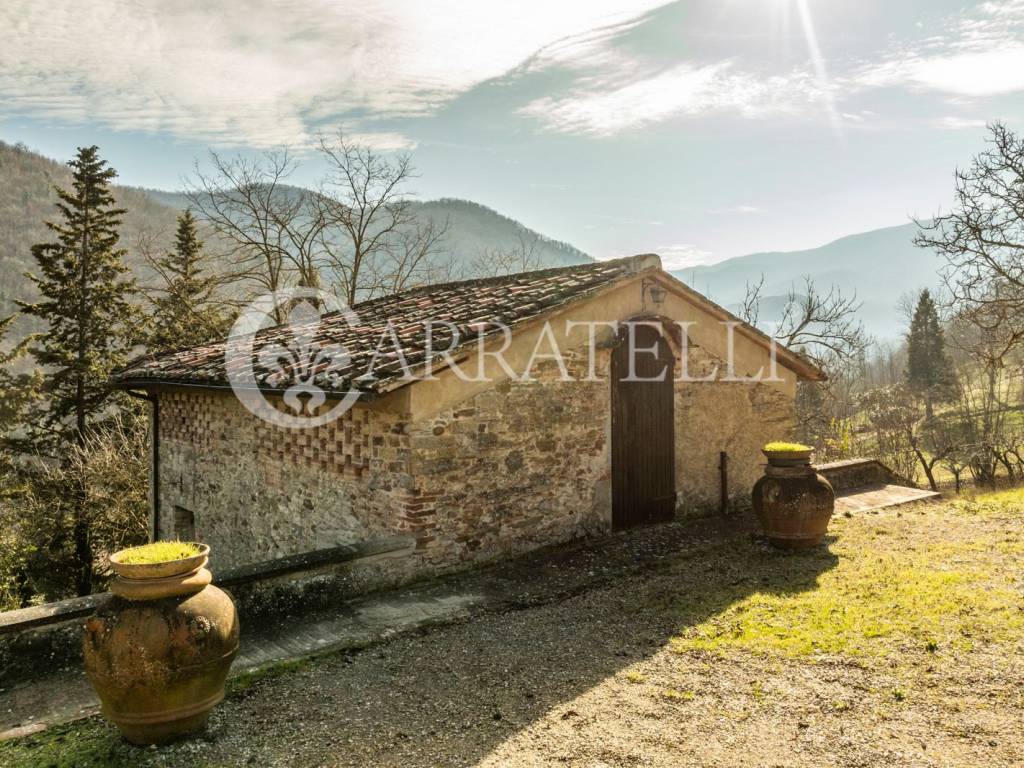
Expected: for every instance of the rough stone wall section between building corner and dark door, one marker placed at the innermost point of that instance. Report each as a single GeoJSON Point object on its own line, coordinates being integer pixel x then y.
{"type": "Point", "coordinates": [513, 468]}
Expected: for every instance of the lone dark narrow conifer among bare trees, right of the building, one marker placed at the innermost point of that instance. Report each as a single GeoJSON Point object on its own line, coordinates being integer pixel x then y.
{"type": "Point", "coordinates": [929, 371]}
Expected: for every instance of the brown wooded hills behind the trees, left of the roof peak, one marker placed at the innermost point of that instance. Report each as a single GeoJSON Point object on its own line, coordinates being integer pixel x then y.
{"type": "Point", "coordinates": [27, 201]}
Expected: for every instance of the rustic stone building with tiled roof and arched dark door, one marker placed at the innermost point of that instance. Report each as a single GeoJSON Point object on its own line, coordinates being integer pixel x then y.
{"type": "Point", "coordinates": [543, 448]}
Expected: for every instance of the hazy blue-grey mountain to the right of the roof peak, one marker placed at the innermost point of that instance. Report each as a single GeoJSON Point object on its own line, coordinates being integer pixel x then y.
{"type": "Point", "coordinates": [881, 266]}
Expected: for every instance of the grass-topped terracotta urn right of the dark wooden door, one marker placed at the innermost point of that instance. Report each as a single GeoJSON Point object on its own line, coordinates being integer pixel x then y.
{"type": "Point", "coordinates": [793, 502]}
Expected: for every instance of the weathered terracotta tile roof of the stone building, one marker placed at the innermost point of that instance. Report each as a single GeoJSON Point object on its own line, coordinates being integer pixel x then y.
{"type": "Point", "coordinates": [470, 306]}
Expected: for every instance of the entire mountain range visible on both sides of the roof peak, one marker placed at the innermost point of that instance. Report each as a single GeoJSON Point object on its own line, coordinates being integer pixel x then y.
{"type": "Point", "coordinates": [880, 267]}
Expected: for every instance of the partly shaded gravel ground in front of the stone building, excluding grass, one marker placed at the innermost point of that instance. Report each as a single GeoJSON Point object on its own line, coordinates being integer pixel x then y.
{"type": "Point", "coordinates": [594, 681]}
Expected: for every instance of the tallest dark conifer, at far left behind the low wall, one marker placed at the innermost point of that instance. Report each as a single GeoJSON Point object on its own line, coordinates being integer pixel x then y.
{"type": "Point", "coordinates": [86, 300]}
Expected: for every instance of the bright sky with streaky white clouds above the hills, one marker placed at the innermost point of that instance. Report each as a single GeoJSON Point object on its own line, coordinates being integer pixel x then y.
{"type": "Point", "coordinates": [699, 131]}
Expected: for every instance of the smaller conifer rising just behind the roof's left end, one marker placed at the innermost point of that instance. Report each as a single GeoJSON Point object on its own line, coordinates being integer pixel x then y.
{"type": "Point", "coordinates": [185, 311]}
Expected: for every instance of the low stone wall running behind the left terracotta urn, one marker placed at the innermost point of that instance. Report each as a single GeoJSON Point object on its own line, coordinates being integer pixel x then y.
{"type": "Point", "coordinates": [50, 637]}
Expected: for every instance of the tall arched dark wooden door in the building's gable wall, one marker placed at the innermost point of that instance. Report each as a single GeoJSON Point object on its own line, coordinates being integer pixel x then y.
{"type": "Point", "coordinates": [644, 456]}
